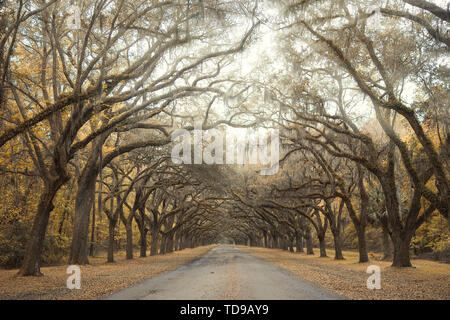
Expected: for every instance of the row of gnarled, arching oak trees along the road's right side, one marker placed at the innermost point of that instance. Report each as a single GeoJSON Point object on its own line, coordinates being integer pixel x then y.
{"type": "Point", "coordinates": [364, 117]}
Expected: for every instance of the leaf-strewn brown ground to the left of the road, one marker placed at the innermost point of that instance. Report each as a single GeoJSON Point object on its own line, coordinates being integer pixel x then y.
{"type": "Point", "coordinates": [97, 279]}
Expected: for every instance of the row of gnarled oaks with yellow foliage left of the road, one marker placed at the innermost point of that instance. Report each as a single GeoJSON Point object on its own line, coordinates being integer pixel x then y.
{"type": "Point", "coordinates": [74, 101]}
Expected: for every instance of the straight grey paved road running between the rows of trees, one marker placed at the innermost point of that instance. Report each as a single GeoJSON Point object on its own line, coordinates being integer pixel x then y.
{"type": "Point", "coordinates": [226, 273]}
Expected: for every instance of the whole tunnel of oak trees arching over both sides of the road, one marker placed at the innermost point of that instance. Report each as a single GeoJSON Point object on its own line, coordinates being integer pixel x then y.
{"type": "Point", "coordinates": [361, 102]}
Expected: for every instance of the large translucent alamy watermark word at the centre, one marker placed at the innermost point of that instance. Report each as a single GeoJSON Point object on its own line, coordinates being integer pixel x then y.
{"type": "Point", "coordinates": [253, 147]}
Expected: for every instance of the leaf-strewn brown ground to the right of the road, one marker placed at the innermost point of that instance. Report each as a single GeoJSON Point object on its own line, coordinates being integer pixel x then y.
{"type": "Point", "coordinates": [428, 280]}
